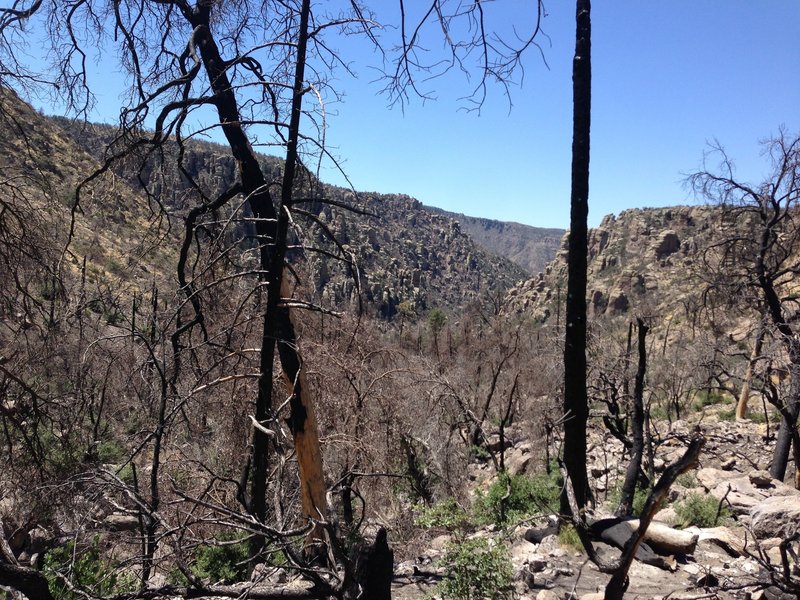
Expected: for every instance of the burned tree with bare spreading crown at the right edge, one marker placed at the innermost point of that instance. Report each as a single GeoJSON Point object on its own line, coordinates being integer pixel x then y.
{"type": "Point", "coordinates": [757, 259]}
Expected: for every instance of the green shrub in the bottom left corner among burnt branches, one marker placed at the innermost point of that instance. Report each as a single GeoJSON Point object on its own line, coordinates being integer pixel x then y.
{"type": "Point", "coordinates": [86, 571]}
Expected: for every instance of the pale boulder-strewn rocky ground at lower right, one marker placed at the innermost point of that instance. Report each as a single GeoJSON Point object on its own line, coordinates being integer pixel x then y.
{"type": "Point", "coordinates": [730, 561]}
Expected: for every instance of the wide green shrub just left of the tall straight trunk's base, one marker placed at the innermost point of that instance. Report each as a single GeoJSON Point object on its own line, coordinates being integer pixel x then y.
{"type": "Point", "coordinates": [526, 496]}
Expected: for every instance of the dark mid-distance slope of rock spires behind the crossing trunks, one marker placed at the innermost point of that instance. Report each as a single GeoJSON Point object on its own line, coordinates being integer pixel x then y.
{"type": "Point", "coordinates": [396, 252]}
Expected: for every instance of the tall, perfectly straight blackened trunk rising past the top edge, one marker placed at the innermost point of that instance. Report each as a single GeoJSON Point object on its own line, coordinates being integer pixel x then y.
{"type": "Point", "coordinates": [576, 409]}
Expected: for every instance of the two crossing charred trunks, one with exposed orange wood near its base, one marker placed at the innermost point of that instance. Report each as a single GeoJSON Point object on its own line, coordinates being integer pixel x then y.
{"type": "Point", "coordinates": [271, 233]}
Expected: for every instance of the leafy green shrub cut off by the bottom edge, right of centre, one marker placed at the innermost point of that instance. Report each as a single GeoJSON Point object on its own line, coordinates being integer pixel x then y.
{"type": "Point", "coordinates": [476, 570]}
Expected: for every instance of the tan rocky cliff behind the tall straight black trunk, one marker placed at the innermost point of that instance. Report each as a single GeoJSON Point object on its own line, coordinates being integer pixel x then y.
{"type": "Point", "coordinates": [642, 260]}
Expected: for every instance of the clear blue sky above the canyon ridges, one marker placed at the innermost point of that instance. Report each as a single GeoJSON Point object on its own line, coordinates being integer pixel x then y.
{"type": "Point", "coordinates": [668, 77]}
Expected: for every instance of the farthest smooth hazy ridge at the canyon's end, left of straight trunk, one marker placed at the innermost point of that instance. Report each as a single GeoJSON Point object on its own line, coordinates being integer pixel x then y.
{"type": "Point", "coordinates": [529, 247]}
